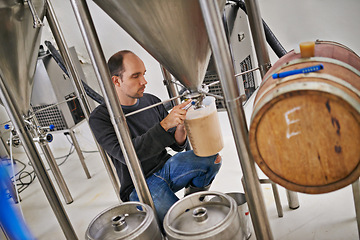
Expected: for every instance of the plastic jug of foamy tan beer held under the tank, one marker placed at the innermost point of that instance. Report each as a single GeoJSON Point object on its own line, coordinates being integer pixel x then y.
{"type": "Point", "coordinates": [203, 129]}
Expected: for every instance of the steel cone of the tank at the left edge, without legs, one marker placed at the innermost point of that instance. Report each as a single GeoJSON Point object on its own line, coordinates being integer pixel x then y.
{"type": "Point", "coordinates": [19, 46]}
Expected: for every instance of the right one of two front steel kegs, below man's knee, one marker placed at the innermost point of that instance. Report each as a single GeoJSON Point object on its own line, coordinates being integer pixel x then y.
{"type": "Point", "coordinates": [204, 215]}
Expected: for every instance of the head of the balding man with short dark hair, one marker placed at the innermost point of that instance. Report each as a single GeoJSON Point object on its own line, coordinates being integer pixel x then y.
{"type": "Point", "coordinates": [127, 73]}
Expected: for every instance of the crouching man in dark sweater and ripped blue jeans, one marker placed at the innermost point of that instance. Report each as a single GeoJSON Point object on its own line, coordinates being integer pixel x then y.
{"type": "Point", "coordinates": [151, 131]}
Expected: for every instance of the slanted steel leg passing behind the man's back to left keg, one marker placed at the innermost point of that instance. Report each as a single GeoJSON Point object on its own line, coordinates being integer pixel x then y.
{"type": "Point", "coordinates": [64, 50]}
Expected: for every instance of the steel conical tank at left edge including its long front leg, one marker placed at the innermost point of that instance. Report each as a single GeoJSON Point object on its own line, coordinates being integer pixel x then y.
{"type": "Point", "coordinates": [19, 38]}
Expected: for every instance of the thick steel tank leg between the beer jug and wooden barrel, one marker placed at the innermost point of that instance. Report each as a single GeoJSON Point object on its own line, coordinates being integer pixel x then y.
{"type": "Point", "coordinates": [224, 66]}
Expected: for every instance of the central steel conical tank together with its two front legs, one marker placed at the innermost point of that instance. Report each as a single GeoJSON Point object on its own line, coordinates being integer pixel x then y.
{"type": "Point", "coordinates": [185, 54]}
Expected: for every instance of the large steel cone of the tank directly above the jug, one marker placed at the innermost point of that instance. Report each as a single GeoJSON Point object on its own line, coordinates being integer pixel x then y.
{"type": "Point", "coordinates": [173, 32]}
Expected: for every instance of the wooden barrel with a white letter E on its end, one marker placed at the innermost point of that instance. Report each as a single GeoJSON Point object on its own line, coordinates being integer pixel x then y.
{"type": "Point", "coordinates": [305, 128]}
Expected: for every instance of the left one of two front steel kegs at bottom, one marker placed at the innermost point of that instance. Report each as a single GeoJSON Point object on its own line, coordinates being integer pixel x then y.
{"type": "Point", "coordinates": [130, 220]}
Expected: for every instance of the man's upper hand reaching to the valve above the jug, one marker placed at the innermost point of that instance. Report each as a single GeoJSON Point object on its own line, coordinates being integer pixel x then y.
{"type": "Point", "coordinates": [176, 116]}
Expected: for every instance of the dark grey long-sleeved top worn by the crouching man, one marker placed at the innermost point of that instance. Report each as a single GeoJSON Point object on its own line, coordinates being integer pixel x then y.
{"type": "Point", "coordinates": [148, 137]}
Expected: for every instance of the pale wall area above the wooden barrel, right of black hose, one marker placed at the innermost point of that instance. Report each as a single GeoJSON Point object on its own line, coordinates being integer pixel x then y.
{"type": "Point", "coordinates": [296, 21]}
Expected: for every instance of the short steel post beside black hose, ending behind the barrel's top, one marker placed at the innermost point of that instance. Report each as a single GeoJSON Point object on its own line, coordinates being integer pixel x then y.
{"type": "Point", "coordinates": [258, 35]}
